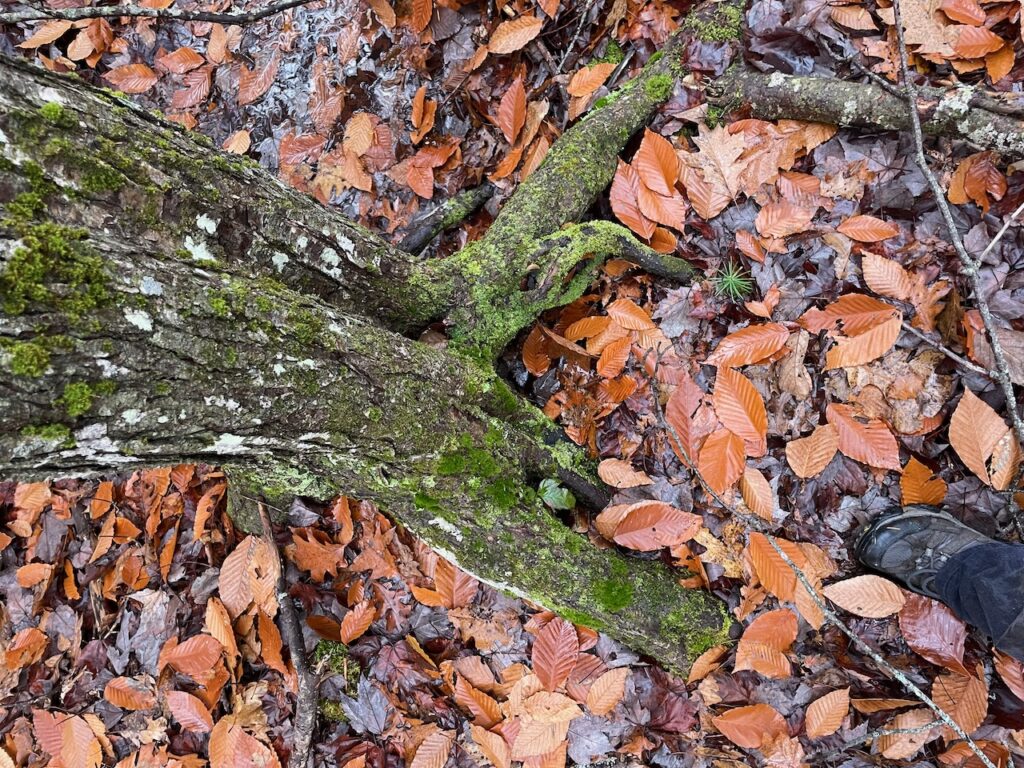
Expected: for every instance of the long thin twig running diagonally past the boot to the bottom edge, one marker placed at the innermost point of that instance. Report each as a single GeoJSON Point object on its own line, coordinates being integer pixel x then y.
{"type": "Point", "coordinates": [827, 612]}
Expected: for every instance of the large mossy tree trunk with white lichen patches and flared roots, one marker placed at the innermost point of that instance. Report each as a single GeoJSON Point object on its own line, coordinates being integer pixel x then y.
{"type": "Point", "coordinates": [166, 304]}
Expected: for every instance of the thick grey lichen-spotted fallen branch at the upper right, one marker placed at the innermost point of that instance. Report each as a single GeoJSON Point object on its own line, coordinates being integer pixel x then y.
{"type": "Point", "coordinates": [960, 113]}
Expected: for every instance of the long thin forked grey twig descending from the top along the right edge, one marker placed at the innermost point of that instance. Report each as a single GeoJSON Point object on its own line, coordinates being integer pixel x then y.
{"type": "Point", "coordinates": [971, 267]}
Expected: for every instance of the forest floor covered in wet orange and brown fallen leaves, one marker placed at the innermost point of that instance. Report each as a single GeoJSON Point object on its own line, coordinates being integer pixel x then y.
{"type": "Point", "coordinates": [827, 363]}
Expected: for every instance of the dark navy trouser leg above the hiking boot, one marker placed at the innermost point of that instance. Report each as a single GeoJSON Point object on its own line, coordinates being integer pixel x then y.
{"type": "Point", "coordinates": [985, 586]}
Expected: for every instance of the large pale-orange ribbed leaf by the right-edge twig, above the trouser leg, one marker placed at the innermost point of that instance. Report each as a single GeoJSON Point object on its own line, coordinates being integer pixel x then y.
{"type": "Point", "coordinates": [984, 442]}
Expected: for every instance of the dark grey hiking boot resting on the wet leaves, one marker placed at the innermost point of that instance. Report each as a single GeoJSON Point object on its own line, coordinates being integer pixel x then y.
{"type": "Point", "coordinates": [912, 545]}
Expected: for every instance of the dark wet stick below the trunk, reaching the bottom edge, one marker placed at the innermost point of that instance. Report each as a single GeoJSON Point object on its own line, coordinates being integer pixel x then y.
{"type": "Point", "coordinates": [305, 721]}
